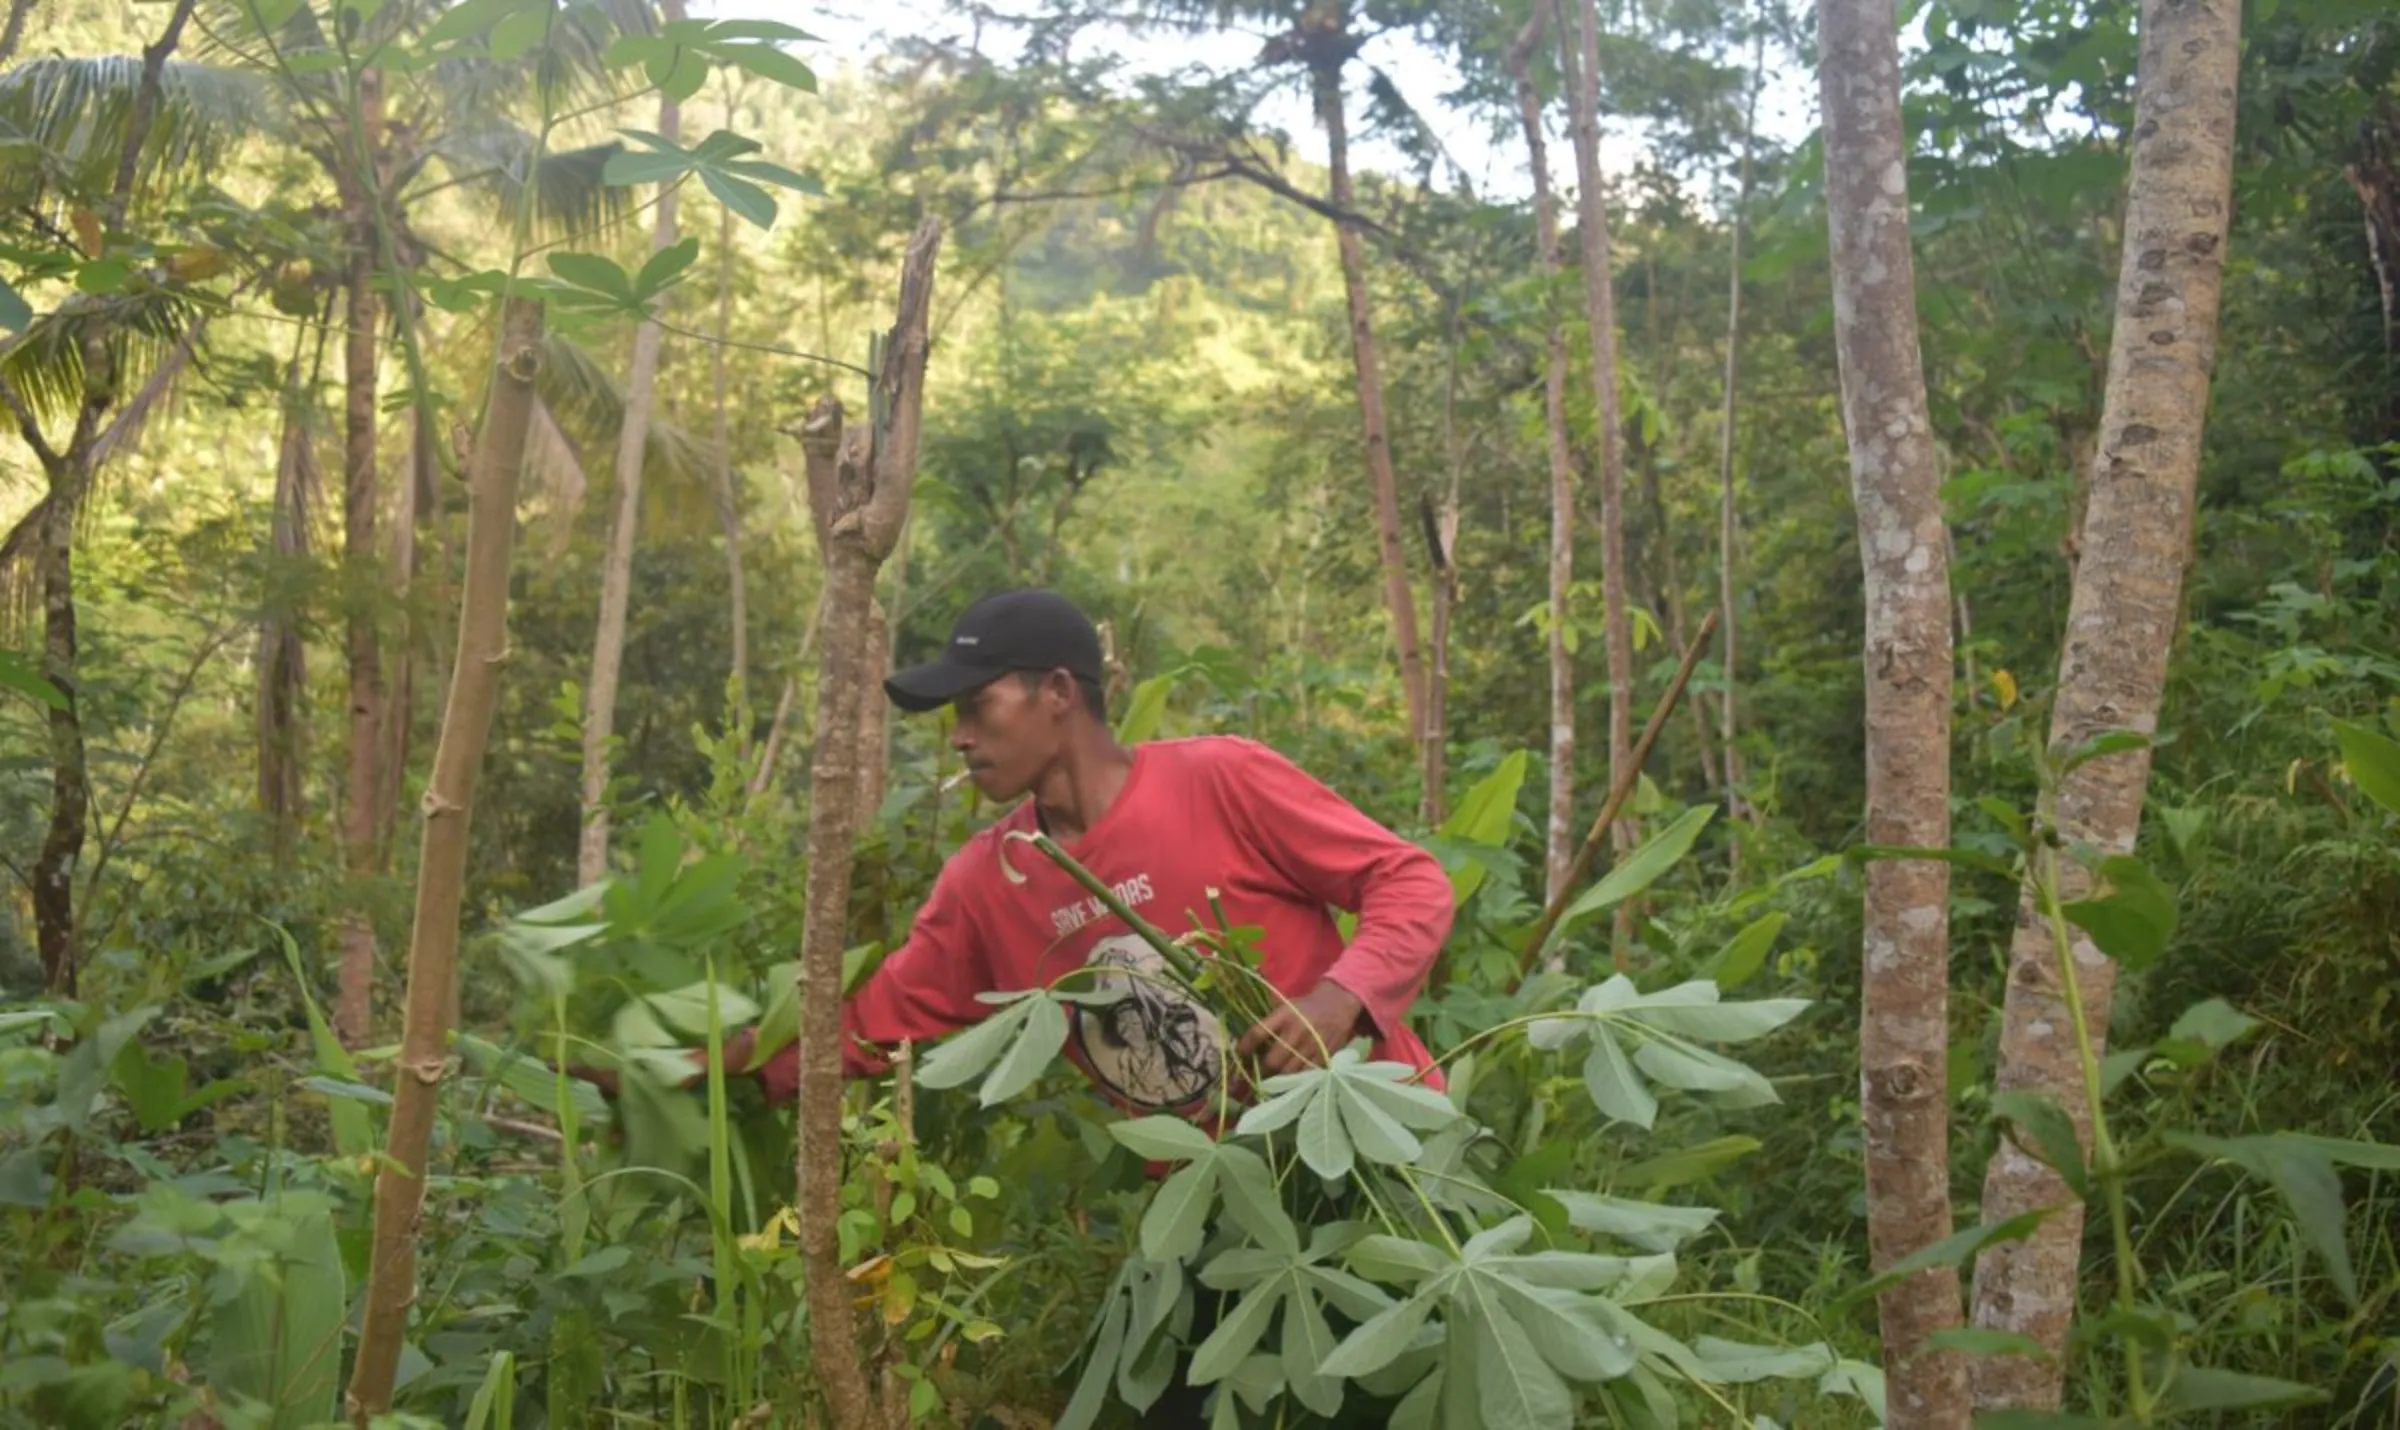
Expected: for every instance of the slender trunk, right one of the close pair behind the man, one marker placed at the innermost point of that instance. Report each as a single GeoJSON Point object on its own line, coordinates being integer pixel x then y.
{"type": "Point", "coordinates": [1583, 68]}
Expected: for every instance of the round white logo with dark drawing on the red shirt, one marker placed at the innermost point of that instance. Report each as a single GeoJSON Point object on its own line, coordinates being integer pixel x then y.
{"type": "Point", "coordinates": [1156, 1047]}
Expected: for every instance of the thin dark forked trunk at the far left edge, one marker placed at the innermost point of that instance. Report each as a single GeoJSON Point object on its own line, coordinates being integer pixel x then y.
{"type": "Point", "coordinates": [68, 479]}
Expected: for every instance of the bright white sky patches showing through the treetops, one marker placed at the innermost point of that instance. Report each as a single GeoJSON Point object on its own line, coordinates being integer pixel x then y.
{"type": "Point", "coordinates": [858, 30]}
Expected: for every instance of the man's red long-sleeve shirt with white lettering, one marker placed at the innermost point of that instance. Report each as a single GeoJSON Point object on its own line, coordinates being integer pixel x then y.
{"type": "Point", "coordinates": [1196, 815]}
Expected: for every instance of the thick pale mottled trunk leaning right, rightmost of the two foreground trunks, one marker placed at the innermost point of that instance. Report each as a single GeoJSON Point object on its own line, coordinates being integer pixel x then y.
{"type": "Point", "coordinates": [2120, 625]}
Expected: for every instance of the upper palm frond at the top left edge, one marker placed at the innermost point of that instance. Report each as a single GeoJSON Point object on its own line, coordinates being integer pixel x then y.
{"type": "Point", "coordinates": [64, 126]}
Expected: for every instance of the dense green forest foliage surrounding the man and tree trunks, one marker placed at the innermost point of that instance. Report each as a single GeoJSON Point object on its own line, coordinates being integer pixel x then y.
{"type": "Point", "coordinates": [1144, 397]}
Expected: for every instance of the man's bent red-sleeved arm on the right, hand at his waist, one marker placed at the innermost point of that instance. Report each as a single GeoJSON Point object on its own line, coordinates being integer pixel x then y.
{"type": "Point", "coordinates": [1343, 858]}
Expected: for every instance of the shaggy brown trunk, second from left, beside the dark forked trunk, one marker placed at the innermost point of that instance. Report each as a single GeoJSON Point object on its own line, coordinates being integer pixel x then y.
{"type": "Point", "coordinates": [282, 687]}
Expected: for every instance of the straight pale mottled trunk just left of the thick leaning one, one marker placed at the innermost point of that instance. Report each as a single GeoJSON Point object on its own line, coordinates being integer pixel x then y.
{"type": "Point", "coordinates": [1895, 483]}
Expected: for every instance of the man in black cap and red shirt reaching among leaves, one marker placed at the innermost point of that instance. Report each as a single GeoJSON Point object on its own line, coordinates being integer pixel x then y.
{"type": "Point", "coordinates": [1163, 824]}
